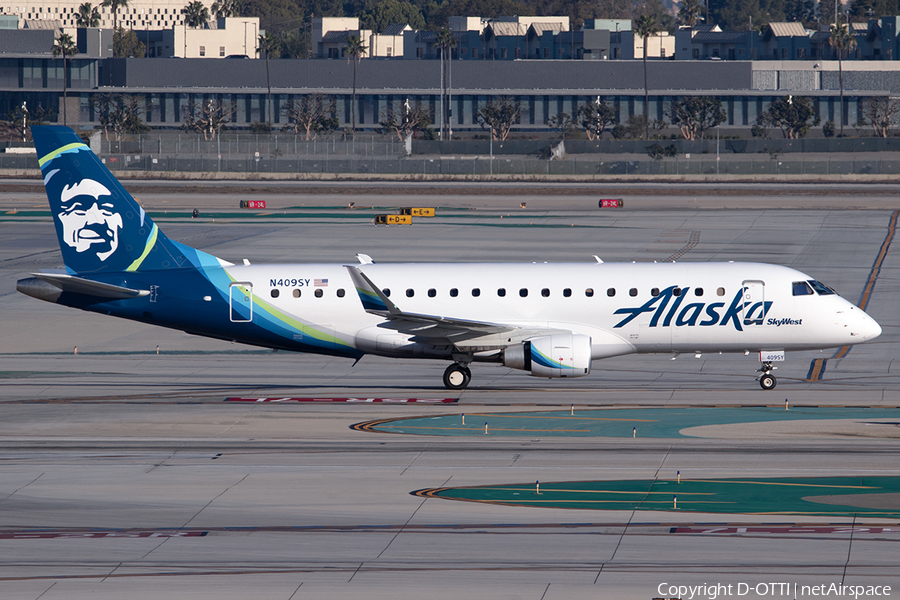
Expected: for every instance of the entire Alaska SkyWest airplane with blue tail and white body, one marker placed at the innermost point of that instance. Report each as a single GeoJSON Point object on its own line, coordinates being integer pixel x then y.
{"type": "Point", "coordinates": [552, 320]}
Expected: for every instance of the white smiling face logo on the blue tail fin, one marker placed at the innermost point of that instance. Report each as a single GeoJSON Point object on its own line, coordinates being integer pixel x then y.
{"type": "Point", "coordinates": [89, 222]}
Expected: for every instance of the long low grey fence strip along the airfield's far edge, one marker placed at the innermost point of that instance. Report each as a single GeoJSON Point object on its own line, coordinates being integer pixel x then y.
{"type": "Point", "coordinates": [484, 165]}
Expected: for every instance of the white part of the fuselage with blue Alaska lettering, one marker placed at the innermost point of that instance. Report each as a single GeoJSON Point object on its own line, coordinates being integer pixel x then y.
{"type": "Point", "coordinates": [697, 307]}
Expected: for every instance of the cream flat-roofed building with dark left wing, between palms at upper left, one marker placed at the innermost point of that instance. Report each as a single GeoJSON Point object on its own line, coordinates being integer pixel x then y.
{"type": "Point", "coordinates": [227, 36]}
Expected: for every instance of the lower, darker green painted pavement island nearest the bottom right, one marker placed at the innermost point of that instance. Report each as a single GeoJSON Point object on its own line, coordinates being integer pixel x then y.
{"type": "Point", "coordinates": [779, 496]}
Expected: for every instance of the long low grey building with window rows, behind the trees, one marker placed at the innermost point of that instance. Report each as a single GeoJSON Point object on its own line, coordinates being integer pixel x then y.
{"type": "Point", "coordinates": [542, 88]}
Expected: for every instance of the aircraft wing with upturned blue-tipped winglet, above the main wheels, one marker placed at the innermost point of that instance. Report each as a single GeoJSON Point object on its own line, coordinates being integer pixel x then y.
{"type": "Point", "coordinates": [435, 329]}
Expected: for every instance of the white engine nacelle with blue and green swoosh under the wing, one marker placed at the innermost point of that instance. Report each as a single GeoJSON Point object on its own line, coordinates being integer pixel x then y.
{"type": "Point", "coordinates": [560, 355]}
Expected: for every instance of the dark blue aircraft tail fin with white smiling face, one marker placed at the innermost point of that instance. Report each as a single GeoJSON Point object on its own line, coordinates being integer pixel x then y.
{"type": "Point", "coordinates": [101, 228]}
